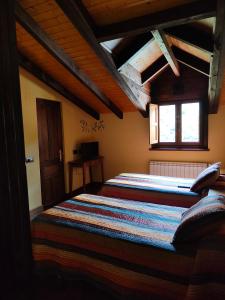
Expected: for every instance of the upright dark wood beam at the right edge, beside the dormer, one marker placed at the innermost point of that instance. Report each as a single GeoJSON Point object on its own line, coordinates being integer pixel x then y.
{"type": "Point", "coordinates": [218, 59]}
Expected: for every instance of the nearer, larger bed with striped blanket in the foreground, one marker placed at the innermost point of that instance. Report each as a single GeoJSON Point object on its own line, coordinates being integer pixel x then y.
{"type": "Point", "coordinates": [125, 246]}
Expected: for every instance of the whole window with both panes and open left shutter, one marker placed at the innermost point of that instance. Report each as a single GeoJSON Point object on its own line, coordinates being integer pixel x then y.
{"type": "Point", "coordinates": [180, 125]}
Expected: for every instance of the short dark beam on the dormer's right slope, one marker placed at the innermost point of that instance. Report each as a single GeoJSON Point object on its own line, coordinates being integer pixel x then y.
{"type": "Point", "coordinates": [191, 61]}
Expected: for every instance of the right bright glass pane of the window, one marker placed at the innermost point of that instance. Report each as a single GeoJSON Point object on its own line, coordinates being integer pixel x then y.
{"type": "Point", "coordinates": [190, 122]}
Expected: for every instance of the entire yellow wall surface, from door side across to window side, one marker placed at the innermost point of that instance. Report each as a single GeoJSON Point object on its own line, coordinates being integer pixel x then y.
{"type": "Point", "coordinates": [124, 143]}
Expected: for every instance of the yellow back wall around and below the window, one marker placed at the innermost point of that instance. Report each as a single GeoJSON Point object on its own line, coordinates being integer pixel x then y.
{"type": "Point", "coordinates": [124, 143]}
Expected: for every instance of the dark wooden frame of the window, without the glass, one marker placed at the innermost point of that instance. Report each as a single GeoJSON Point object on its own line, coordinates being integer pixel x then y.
{"type": "Point", "coordinates": [178, 144]}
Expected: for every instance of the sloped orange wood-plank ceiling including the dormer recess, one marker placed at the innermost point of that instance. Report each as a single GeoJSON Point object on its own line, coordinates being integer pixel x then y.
{"type": "Point", "coordinates": [118, 77]}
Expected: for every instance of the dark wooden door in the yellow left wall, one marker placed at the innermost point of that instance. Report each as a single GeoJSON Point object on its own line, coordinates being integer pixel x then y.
{"type": "Point", "coordinates": [50, 151]}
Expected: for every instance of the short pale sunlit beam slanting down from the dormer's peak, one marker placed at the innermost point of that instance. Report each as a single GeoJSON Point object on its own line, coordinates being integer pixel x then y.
{"type": "Point", "coordinates": [163, 44]}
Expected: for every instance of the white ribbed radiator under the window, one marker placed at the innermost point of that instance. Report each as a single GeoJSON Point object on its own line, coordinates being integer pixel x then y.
{"type": "Point", "coordinates": [176, 169]}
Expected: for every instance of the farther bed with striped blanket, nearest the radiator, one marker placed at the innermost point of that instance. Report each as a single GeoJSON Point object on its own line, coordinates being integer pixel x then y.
{"type": "Point", "coordinates": [151, 188]}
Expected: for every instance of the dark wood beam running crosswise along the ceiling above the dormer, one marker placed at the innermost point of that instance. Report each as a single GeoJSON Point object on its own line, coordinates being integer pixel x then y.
{"type": "Point", "coordinates": [168, 18]}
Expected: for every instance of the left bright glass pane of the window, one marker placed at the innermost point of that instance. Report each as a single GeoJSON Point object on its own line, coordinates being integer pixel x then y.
{"type": "Point", "coordinates": [167, 123]}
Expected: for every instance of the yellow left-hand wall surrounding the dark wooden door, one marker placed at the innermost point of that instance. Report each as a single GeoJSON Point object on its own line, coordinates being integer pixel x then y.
{"type": "Point", "coordinates": [31, 88]}
